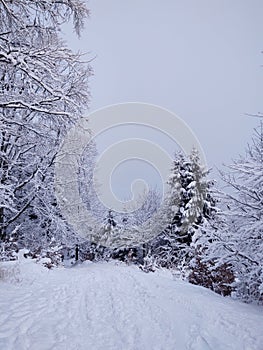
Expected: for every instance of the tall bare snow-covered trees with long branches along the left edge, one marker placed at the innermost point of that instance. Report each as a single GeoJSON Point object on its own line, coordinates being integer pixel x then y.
{"type": "Point", "coordinates": [43, 91]}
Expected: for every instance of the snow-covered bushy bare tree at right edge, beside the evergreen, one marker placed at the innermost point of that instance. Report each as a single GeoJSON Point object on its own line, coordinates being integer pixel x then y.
{"type": "Point", "coordinates": [236, 240]}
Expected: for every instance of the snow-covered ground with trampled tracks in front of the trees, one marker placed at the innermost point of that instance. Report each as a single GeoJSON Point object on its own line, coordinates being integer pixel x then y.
{"type": "Point", "coordinates": [106, 306]}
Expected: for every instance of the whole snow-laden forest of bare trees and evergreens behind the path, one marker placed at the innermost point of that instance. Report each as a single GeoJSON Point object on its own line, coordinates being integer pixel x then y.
{"type": "Point", "coordinates": [207, 234]}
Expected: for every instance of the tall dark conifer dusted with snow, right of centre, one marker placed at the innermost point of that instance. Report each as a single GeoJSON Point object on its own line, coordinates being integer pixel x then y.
{"type": "Point", "coordinates": [188, 203]}
